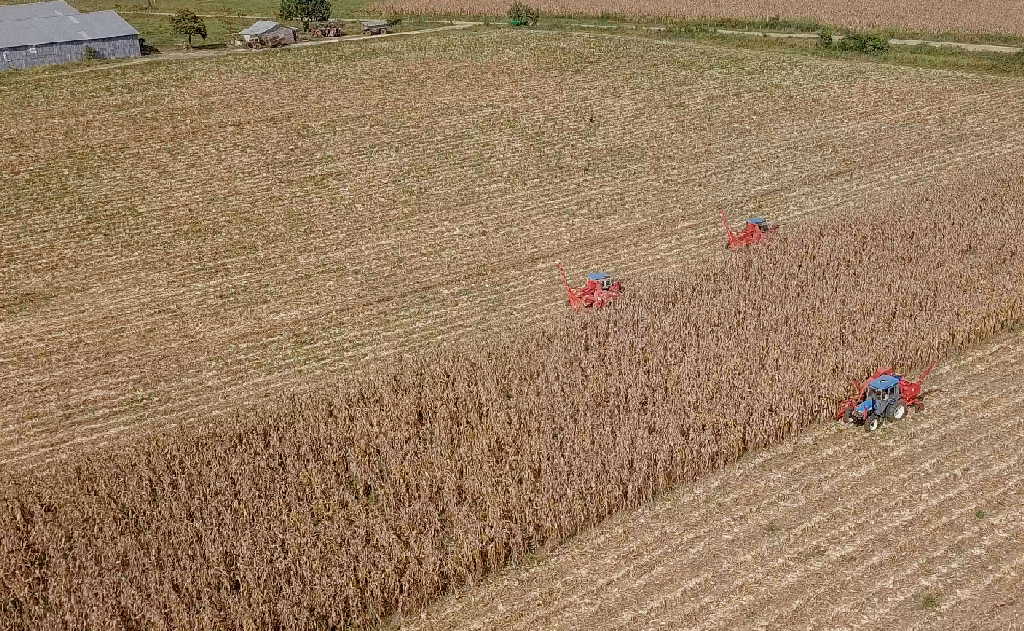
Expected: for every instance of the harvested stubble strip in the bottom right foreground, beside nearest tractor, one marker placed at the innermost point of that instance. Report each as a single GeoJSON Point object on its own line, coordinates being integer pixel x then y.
{"type": "Point", "coordinates": [920, 527]}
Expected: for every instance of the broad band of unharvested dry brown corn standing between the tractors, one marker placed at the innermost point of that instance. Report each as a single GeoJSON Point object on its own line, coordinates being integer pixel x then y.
{"type": "Point", "coordinates": [333, 509]}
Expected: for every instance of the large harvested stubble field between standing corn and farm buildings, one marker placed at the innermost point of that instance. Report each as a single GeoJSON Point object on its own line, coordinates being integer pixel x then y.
{"type": "Point", "coordinates": [181, 240]}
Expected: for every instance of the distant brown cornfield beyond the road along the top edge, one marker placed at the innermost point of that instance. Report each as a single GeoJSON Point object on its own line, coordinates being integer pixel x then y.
{"type": "Point", "coordinates": [987, 17]}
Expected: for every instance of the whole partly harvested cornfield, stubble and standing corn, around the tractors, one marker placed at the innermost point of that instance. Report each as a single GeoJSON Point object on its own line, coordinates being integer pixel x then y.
{"type": "Point", "coordinates": [267, 343]}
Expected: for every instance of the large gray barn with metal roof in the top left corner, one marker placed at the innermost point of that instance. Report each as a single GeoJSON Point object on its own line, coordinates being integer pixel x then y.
{"type": "Point", "coordinates": [47, 33]}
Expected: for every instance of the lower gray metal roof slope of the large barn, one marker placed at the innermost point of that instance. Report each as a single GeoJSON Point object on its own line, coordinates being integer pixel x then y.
{"type": "Point", "coordinates": [99, 25]}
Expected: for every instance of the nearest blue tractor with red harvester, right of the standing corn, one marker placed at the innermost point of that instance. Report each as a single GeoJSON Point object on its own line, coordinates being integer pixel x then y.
{"type": "Point", "coordinates": [884, 396]}
